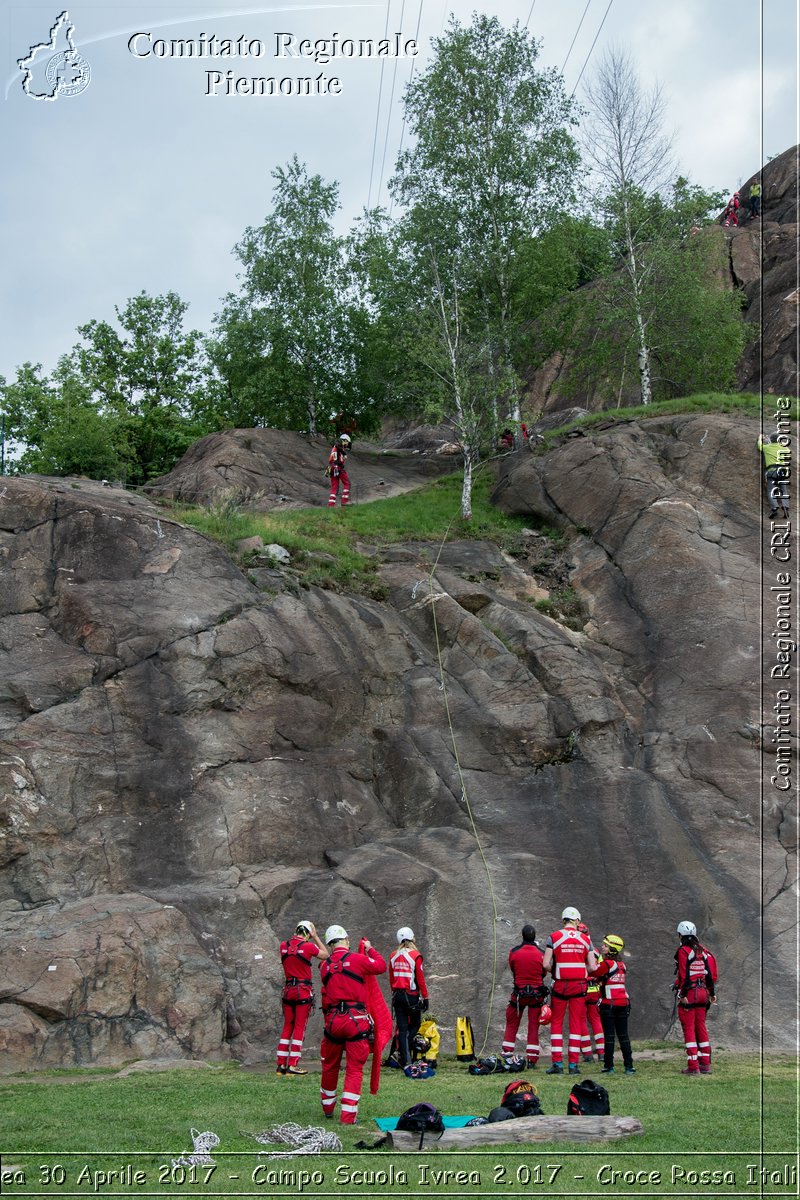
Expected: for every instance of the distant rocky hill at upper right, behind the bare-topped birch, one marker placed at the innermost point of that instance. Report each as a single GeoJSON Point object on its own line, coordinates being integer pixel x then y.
{"type": "Point", "coordinates": [762, 259]}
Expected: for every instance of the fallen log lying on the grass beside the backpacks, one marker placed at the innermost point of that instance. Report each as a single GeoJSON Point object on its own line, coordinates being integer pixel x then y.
{"type": "Point", "coordinates": [522, 1130]}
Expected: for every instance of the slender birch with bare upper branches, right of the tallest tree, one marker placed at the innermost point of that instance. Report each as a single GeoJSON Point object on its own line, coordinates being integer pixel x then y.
{"type": "Point", "coordinates": [660, 313]}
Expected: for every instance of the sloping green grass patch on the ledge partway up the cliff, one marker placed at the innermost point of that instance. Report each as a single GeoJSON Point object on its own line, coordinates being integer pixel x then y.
{"type": "Point", "coordinates": [324, 543]}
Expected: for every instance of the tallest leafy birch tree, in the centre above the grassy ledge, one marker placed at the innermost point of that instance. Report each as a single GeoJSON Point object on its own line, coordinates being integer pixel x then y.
{"type": "Point", "coordinates": [492, 165]}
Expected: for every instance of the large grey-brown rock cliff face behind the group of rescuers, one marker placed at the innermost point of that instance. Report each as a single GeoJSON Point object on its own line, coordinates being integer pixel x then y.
{"type": "Point", "coordinates": [188, 765]}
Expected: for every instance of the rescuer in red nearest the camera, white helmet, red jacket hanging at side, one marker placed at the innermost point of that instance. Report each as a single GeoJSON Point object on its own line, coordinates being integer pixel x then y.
{"type": "Point", "coordinates": [348, 1025]}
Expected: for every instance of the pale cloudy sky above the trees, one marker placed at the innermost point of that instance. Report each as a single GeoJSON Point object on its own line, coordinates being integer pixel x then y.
{"type": "Point", "coordinates": [145, 182]}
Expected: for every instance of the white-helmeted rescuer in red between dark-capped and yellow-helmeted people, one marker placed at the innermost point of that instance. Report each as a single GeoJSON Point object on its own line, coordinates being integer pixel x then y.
{"type": "Point", "coordinates": [570, 959]}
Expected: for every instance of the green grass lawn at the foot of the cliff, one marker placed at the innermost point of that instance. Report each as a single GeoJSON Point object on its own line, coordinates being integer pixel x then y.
{"type": "Point", "coordinates": [711, 1124]}
